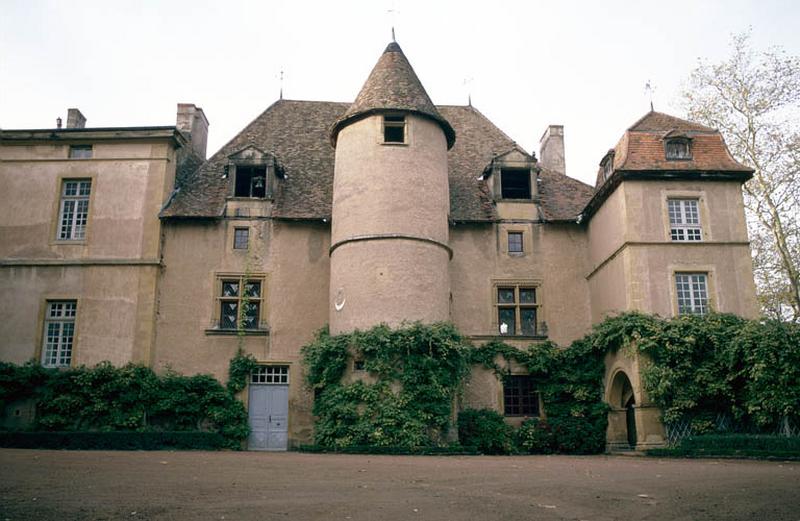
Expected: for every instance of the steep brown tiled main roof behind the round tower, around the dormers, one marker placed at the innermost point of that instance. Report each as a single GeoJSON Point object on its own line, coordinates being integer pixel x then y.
{"type": "Point", "coordinates": [296, 133]}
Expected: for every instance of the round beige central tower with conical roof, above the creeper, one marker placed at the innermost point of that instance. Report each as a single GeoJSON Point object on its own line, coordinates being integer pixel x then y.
{"type": "Point", "coordinates": [389, 239]}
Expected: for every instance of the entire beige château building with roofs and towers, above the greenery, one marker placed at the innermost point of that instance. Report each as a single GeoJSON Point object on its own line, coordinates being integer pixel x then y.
{"type": "Point", "coordinates": [128, 245]}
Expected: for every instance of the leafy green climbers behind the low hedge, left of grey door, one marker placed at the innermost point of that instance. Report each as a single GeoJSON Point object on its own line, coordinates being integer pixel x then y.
{"type": "Point", "coordinates": [128, 398]}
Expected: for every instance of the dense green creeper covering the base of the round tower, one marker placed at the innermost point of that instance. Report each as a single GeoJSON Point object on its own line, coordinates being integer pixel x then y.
{"type": "Point", "coordinates": [417, 372]}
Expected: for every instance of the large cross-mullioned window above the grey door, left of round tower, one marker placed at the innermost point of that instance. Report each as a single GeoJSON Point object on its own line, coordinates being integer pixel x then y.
{"type": "Point", "coordinates": [240, 303]}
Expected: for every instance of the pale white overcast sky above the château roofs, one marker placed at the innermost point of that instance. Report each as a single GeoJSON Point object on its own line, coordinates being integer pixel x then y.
{"type": "Point", "coordinates": [528, 63]}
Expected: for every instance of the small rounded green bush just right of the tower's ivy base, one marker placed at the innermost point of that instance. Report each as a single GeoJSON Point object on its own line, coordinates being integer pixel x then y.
{"type": "Point", "coordinates": [486, 430]}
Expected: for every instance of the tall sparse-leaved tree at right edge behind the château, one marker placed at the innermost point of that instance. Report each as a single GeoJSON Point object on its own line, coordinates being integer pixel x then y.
{"type": "Point", "coordinates": [754, 100]}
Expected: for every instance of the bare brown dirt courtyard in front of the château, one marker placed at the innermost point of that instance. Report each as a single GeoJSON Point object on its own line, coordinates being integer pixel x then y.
{"type": "Point", "coordinates": [49, 485]}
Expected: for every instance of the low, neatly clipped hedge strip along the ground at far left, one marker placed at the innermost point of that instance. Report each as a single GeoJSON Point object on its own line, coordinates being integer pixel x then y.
{"type": "Point", "coordinates": [116, 440]}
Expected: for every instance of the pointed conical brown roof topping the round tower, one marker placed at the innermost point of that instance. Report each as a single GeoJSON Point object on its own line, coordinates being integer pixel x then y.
{"type": "Point", "coordinates": [392, 85]}
